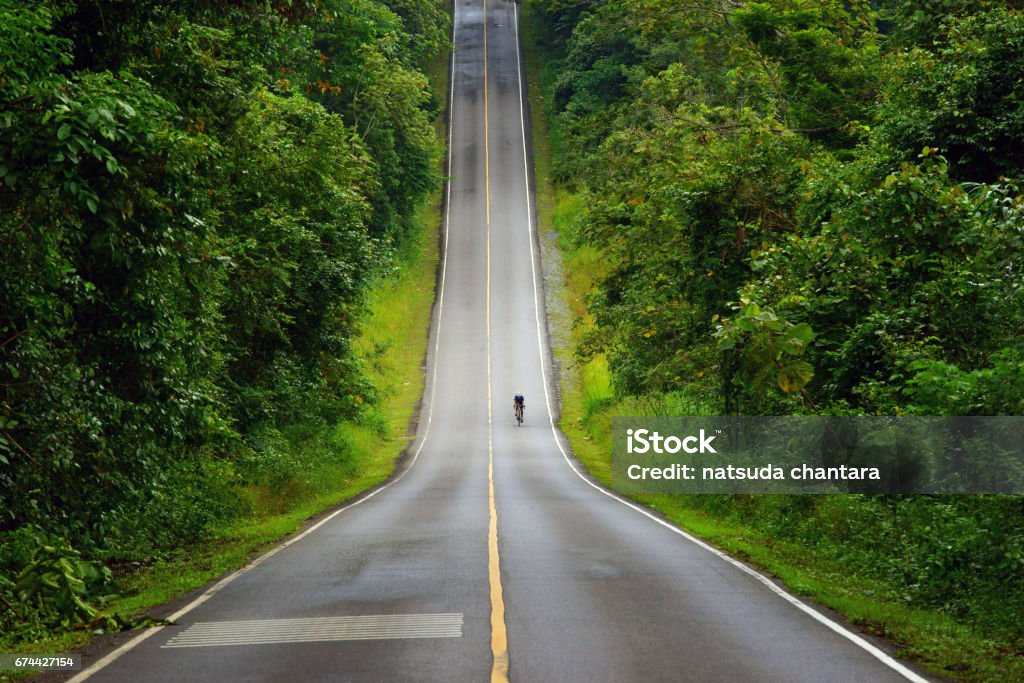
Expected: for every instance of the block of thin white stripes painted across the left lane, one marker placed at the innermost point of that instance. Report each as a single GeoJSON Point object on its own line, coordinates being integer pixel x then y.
{"type": "Point", "coordinates": [328, 629]}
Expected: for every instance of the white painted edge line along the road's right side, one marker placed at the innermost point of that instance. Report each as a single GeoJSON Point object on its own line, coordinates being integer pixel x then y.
{"type": "Point", "coordinates": [857, 639]}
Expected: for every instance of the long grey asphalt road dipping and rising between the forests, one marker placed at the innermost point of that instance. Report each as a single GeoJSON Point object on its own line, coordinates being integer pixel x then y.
{"type": "Point", "coordinates": [491, 554]}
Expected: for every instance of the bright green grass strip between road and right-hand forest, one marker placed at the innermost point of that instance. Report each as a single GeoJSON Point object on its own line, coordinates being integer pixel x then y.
{"type": "Point", "coordinates": [588, 406]}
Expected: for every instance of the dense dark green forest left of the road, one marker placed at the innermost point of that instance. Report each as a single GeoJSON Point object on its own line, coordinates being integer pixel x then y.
{"type": "Point", "coordinates": [196, 200]}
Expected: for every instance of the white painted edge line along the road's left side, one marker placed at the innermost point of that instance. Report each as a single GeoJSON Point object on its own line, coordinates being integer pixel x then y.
{"type": "Point", "coordinates": [214, 590]}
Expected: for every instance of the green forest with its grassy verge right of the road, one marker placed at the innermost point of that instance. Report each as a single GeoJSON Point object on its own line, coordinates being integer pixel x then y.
{"type": "Point", "coordinates": [803, 207]}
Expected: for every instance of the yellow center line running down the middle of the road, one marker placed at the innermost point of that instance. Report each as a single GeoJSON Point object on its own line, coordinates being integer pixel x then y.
{"type": "Point", "coordinates": [499, 637]}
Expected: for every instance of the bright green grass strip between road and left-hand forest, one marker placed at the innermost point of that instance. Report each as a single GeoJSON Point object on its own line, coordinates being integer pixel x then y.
{"type": "Point", "coordinates": [394, 345]}
